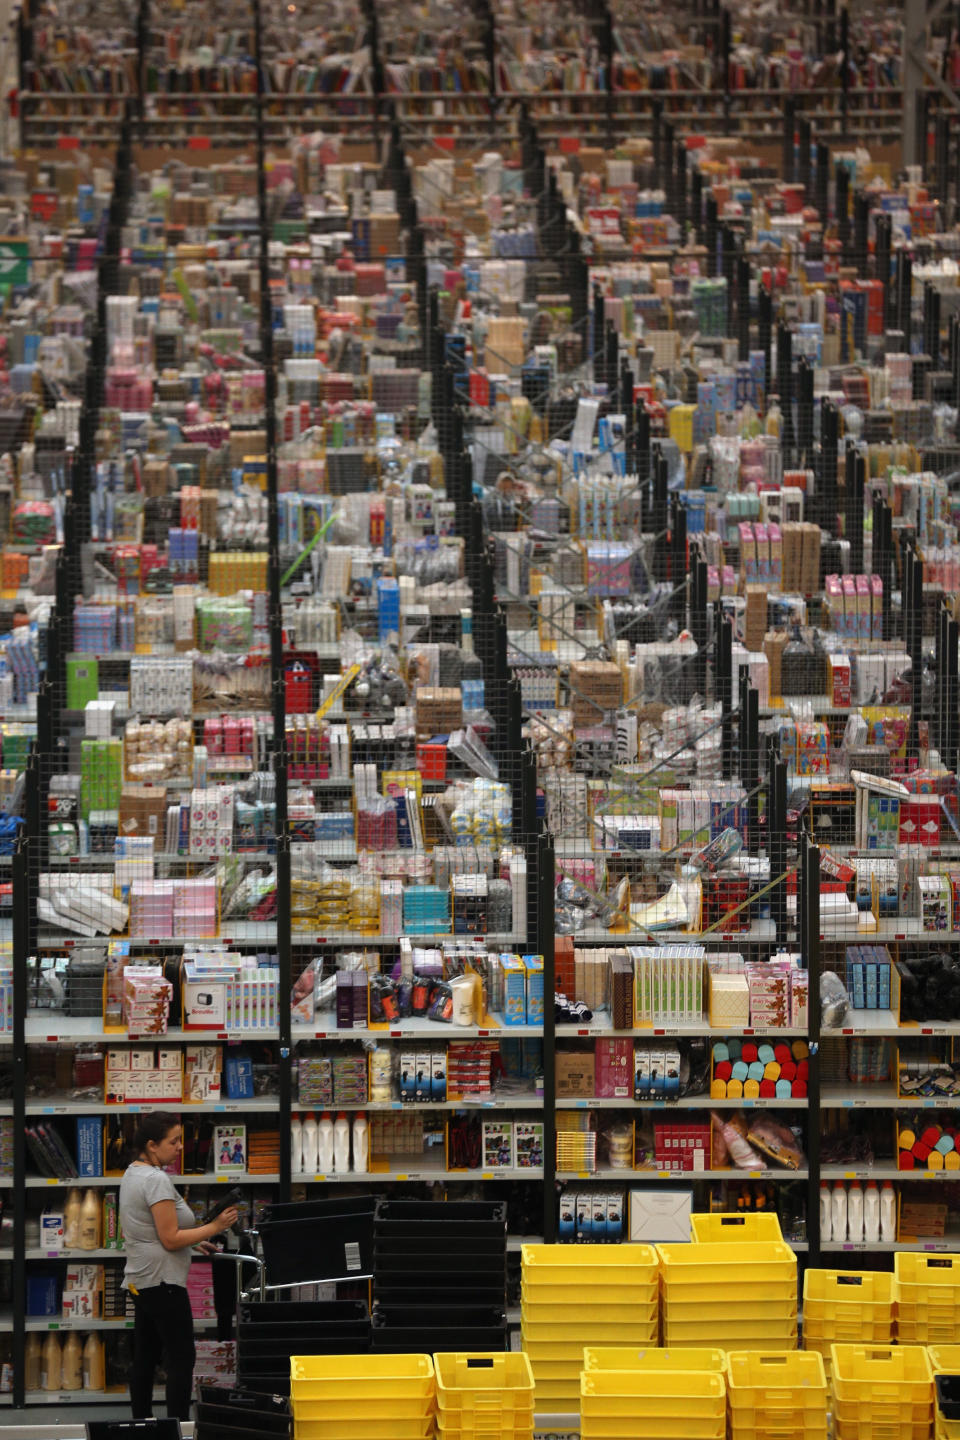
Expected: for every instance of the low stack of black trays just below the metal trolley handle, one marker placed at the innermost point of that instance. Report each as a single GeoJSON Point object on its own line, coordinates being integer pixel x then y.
{"type": "Point", "coordinates": [268, 1333]}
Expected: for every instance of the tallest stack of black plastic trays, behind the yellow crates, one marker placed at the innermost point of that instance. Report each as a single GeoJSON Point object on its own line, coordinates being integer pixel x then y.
{"type": "Point", "coordinates": [440, 1277]}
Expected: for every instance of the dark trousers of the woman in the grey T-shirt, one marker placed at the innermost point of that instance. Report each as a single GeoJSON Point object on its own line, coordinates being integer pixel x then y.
{"type": "Point", "coordinates": [163, 1326]}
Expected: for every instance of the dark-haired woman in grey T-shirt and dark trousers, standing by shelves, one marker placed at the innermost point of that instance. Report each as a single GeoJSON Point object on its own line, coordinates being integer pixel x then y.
{"type": "Point", "coordinates": [160, 1232]}
